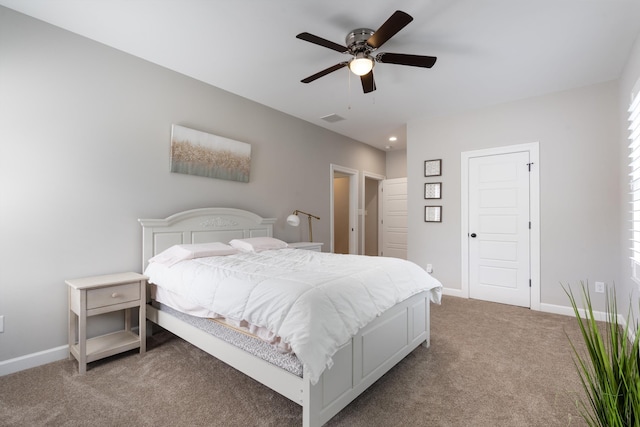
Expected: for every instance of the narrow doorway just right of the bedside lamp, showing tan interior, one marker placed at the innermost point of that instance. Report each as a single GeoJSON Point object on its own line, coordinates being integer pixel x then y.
{"type": "Point", "coordinates": [344, 210]}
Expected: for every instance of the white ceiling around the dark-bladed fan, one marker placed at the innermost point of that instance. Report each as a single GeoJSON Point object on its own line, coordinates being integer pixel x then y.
{"type": "Point", "coordinates": [489, 51]}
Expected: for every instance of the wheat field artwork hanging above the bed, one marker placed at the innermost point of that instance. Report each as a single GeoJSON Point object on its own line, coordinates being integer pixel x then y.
{"type": "Point", "coordinates": [203, 154]}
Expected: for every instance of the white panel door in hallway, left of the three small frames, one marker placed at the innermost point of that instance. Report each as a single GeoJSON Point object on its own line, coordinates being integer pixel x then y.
{"type": "Point", "coordinates": [394, 218]}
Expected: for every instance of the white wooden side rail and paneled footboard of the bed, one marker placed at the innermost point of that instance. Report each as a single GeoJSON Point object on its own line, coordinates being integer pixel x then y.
{"type": "Point", "coordinates": [358, 364]}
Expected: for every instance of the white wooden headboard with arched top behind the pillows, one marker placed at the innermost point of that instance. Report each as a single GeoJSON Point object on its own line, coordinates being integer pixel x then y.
{"type": "Point", "coordinates": [201, 226]}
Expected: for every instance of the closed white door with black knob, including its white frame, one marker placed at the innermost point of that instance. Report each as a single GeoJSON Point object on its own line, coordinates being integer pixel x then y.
{"type": "Point", "coordinates": [500, 225]}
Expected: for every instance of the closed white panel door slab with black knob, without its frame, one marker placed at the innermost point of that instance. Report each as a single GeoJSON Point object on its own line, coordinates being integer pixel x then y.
{"type": "Point", "coordinates": [499, 267]}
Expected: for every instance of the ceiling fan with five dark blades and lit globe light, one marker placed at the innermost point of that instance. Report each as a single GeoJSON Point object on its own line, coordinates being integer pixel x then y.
{"type": "Point", "coordinates": [362, 43]}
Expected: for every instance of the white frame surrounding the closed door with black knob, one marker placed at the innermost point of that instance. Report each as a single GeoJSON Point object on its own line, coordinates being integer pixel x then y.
{"type": "Point", "coordinates": [534, 214]}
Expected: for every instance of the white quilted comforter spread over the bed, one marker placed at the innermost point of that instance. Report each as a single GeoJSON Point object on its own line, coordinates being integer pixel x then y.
{"type": "Point", "coordinates": [314, 301]}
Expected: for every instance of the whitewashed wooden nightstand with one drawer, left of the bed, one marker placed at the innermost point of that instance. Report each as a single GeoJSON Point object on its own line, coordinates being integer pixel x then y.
{"type": "Point", "coordinates": [90, 296]}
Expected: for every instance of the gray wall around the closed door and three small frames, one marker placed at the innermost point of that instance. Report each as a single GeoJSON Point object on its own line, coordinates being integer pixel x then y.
{"type": "Point", "coordinates": [578, 132]}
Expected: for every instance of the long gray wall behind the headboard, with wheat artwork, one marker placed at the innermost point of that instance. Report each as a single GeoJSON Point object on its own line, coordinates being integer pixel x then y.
{"type": "Point", "coordinates": [84, 153]}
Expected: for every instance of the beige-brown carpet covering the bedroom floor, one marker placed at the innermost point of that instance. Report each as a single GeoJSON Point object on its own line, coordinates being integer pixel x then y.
{"type": "Point", "coordinates": [488, 365]}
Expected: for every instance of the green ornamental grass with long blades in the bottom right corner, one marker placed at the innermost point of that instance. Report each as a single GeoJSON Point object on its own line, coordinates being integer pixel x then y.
{"type": "Point", "coordinates": [608, 366]}
